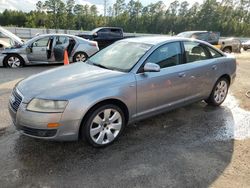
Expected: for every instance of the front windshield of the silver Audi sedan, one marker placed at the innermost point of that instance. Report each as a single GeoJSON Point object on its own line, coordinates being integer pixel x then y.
{"type": "Point", "coordinates": [121, 56]}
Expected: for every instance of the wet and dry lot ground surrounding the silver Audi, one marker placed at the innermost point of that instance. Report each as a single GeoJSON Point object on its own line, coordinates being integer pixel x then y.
{"type": "Point", "coordinates": [194, 146]}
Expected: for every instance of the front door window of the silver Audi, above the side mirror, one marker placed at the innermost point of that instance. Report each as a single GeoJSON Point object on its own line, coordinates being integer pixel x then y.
{"type": "Point", "coordinates": [166, 55]}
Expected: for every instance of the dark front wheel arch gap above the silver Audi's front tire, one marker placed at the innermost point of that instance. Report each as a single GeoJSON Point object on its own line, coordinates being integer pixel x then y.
{"type": "Point", "coordinates": [113, 101]}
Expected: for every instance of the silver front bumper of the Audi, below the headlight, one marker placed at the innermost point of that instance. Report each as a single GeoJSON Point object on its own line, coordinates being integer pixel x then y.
{"type": "Point", "coordinates": [34, 124]}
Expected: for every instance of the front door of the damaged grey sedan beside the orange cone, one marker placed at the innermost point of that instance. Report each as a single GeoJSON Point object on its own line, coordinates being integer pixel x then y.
{"type": "Point", "coordinates": [38, 50]}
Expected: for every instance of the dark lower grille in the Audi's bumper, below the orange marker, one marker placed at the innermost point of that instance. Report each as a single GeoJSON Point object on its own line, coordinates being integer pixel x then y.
{"type": "Point", "coordinates": [38, 132]}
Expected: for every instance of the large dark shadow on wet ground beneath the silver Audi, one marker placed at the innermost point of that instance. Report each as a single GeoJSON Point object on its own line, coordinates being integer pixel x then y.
{"type": "Point", "coordinates": [176, 149]}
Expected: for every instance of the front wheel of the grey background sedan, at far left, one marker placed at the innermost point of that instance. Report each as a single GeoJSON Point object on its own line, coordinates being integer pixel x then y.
{"type": "Point", "coordinates": [13, 61]}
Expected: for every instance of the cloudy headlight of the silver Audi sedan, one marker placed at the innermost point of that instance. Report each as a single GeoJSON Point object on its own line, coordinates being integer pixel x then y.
{"type": "Point", "coordinates": [44, 105]}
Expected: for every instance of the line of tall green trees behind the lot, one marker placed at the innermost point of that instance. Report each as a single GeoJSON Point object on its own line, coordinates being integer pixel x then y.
{"type": "Point", "coordinates": [230, 17]}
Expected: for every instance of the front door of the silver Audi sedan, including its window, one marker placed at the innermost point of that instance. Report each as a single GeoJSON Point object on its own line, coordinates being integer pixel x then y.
{"type": "Point", "coordinates": [167, 88]}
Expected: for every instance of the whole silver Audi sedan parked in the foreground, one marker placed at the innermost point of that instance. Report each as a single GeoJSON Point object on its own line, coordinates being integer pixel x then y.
{"type": "Point", "coordinates": [130, 80]}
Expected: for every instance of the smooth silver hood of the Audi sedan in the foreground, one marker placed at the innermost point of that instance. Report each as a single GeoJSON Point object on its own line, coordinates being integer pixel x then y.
{"type": "Point", "coordinates": [67, 82]}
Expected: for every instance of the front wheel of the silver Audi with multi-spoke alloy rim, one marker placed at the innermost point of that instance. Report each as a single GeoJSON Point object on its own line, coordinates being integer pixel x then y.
{"type": "Point", "coordinates": [101, 131]}
